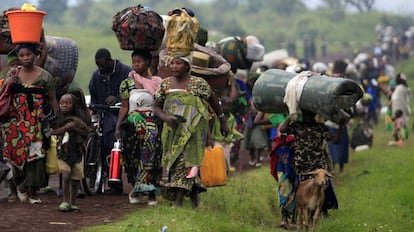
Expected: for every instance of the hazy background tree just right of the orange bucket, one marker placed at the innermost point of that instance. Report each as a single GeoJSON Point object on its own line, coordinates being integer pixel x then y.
{"type": "Point", "coordinates": [54, 9]}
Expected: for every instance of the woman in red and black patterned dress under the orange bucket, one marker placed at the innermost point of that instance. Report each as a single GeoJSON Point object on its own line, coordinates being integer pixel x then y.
{"type": "Point", "coordinates": [33, 103]}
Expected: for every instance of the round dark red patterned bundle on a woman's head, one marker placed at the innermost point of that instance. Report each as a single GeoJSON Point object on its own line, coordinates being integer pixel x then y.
{"type": "Point", "coordinates": [138, 28]}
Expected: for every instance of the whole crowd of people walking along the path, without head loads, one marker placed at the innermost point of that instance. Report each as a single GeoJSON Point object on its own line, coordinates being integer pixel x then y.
{"type": "Point", "coordinates": [165, 124]}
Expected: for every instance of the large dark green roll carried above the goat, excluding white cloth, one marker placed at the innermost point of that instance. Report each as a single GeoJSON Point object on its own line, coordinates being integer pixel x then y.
{"type": "Point", "coordinates": [326, 96]}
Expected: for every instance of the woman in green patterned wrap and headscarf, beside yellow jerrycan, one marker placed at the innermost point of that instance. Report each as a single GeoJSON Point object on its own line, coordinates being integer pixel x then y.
{"type": "Point", "coordinates": [182, 102]}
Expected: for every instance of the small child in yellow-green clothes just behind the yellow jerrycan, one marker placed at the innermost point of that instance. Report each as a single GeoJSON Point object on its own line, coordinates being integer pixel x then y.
{"type": "Point", "coordinates": [234, 135]}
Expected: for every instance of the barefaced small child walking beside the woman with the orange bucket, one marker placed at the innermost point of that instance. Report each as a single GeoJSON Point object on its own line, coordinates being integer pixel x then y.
{"type": "Point", "coordinates": [71, 131]}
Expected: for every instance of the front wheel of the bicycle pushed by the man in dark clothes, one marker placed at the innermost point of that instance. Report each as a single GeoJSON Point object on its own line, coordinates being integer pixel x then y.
{"type": "Point", "coordinates": [92, 182]}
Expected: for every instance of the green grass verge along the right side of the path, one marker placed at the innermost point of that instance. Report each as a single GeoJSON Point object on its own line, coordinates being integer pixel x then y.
{"type": "Point", "coordinates": [374, 194]}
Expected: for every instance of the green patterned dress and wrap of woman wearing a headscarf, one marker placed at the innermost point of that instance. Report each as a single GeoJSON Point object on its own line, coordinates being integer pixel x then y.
{"type": "Point", "coordinates": [183, 145]}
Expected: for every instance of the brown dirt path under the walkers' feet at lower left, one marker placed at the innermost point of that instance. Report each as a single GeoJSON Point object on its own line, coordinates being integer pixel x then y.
{"type": "Point", "coordinates": [95, 210]}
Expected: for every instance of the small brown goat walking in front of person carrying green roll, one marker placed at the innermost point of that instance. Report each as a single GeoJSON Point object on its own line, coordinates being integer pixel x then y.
{"type": "Point", "coordinates": [310, 196]}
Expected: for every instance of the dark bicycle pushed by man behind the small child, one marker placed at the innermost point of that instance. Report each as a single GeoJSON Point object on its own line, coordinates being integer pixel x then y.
{"type": "Point", "coordinates": [96, 163]}
